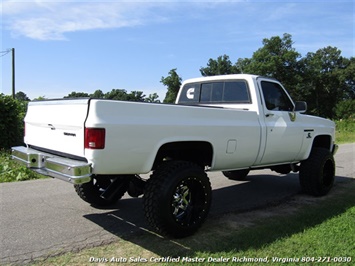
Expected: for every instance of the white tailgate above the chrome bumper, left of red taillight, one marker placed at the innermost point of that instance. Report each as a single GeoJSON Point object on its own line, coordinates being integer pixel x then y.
{"type": "Point", "coordinates": [57, 125]}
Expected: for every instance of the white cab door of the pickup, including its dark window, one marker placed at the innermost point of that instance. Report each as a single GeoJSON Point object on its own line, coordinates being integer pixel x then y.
{"type": "Point", "coordinates": [283, 132]}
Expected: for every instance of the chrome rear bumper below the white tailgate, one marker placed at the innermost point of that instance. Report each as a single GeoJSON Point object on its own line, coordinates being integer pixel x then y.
{"type": "Point", "coordinates": [73, 171]}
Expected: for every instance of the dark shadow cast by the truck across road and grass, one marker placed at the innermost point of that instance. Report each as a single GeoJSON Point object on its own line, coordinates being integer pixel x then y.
{"type": "Point", "coordinates": [128, 221]}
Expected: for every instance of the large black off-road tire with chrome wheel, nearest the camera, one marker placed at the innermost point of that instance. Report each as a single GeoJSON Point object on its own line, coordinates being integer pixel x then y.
{"type": "Point", "coordinates": [177, 198]}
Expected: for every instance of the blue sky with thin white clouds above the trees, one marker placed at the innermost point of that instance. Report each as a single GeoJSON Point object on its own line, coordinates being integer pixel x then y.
{"type": "Point", "coordinates": [64, 46]}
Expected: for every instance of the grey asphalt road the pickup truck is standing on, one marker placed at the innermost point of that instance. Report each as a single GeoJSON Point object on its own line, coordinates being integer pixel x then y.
{"type": "Point", "coordinates": [45, 217]}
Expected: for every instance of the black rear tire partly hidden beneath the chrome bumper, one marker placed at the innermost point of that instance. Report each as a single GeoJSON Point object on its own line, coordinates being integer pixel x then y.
{"type": "Point", "coordinates": [91, 191]}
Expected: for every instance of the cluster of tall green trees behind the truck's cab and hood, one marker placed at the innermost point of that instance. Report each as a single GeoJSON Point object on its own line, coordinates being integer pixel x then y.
{"type": "Point", "coordinates": [323, 79]}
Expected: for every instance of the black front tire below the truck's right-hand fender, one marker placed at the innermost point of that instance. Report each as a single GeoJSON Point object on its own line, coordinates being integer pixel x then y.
{"type": "Point", "coordinates": [317, 173]}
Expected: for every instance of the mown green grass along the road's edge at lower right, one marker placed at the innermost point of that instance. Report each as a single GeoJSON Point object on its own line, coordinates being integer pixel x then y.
{"type": "Point", "coordinates": [317, 232]}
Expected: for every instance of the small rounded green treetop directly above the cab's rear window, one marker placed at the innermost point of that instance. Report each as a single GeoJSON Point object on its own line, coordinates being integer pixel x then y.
{"type": "Point", "coordinates": [221, 66]}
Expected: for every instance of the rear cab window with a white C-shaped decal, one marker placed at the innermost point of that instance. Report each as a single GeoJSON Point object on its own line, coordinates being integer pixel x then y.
{"type": "Point", "coordinates": [236, 91]}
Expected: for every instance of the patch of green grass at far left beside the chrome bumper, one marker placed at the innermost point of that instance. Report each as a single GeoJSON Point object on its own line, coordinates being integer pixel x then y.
{"type": "Point", "coordinates": [10, 171]}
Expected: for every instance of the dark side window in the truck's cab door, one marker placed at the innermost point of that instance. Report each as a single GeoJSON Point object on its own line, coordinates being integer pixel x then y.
{"type": "Point", "coordinates": [275, 97]}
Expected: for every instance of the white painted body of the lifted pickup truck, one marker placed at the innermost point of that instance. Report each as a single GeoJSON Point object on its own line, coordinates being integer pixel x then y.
{"type": "Point", "coordinates": [241, 135]}
